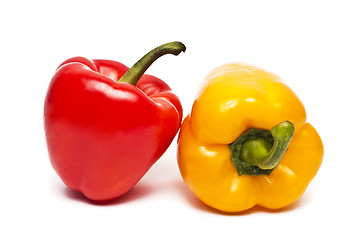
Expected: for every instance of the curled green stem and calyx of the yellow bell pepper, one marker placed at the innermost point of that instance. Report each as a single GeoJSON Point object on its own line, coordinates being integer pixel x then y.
{"type": "Point", "coordinates": [259, 151]}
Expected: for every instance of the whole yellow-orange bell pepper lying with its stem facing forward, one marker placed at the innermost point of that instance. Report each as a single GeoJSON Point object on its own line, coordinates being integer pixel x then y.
{"type": "Point", "coordinates": [247, 142]}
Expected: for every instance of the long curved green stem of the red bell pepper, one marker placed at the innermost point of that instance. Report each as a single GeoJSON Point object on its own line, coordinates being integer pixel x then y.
{"type": "Point", "coordinates": [133, 75]}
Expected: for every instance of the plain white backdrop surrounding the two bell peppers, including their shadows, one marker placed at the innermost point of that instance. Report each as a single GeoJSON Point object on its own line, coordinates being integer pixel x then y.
{"type": "Point", "coordinates": [312, 45]}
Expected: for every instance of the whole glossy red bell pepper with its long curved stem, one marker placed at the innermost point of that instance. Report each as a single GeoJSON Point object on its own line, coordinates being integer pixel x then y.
{"type": "Point", "coordinates": [103, 134]}
